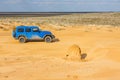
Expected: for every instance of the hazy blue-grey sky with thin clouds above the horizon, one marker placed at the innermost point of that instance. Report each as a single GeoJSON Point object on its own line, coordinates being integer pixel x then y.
{"type": "Point", "coordinates": [58, 5]}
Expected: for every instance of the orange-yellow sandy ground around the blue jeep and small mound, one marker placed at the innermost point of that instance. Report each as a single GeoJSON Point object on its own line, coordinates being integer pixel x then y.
{"type": "Point", "coordinates": [46, 61]}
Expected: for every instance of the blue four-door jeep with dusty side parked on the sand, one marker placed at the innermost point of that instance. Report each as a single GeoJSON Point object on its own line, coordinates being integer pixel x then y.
{"type": "Point", "coordinates": [25, 33]}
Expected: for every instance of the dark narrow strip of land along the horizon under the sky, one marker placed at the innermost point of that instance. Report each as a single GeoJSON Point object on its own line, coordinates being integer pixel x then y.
{"type": "Point", "coordinates": [41, 14]}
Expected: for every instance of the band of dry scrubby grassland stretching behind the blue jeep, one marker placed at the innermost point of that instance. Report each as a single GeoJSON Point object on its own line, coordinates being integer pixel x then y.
{"type": "Point", "coordinates": [64, 20]}
